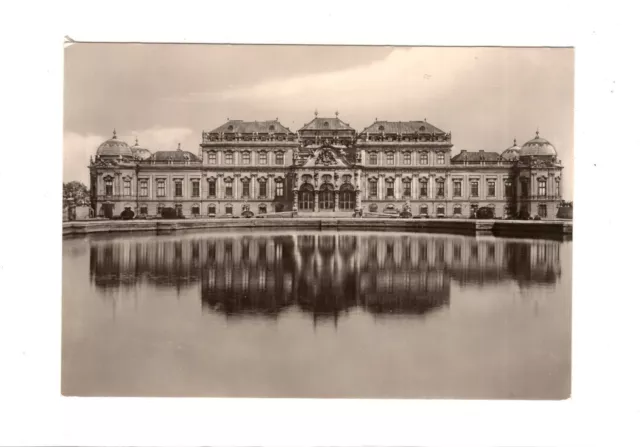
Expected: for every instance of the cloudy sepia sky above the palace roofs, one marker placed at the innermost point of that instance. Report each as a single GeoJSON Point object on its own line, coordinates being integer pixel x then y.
{"type": "Point", "coordinates": [168, 94]}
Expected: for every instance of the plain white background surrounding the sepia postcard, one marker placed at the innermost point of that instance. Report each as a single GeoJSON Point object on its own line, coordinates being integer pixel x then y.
{"type": "Point", "coordinates": [605, 404]}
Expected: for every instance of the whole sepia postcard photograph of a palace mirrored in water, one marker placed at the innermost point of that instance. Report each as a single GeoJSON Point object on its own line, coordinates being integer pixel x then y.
{"type": "Point", "coordinates": [315, 221]}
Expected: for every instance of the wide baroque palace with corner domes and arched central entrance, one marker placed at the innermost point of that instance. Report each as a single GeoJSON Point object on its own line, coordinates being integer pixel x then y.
{"type": "Point", "coordinates": [326, 168]}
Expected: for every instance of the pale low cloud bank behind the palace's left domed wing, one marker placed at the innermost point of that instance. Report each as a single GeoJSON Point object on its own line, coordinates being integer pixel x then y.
{"type": "Point", "coordinates": [79, 148]}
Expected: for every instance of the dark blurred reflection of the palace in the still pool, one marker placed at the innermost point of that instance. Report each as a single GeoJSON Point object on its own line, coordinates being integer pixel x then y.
{"type": "Point", "coordinates": [323, 274]}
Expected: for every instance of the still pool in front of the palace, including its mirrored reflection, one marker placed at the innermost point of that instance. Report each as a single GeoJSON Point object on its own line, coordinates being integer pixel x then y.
{"type": "Point", "coordinates": [316, 314]}
